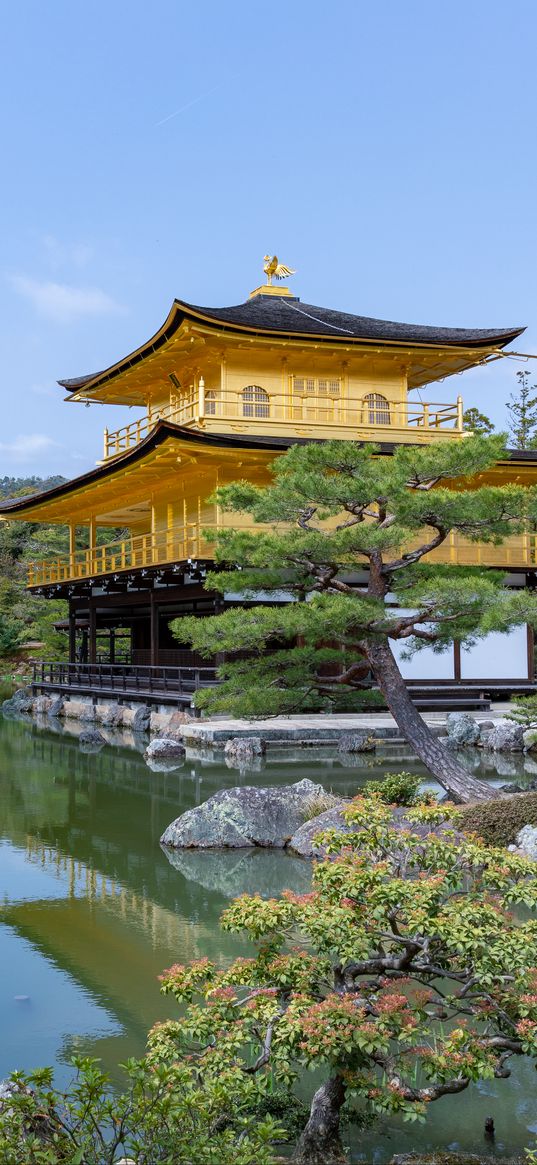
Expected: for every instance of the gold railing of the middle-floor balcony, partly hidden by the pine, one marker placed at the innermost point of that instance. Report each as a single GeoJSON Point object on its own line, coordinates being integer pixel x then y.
{"type": "Point", "coordinates": [179, 545]}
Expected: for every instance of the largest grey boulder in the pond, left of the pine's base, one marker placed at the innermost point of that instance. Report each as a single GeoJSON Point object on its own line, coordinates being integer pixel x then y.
{"type": "Point", "coordinates": [250, 816]}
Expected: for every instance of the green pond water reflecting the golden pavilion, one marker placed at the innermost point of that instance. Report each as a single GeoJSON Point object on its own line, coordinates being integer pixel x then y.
{"type": "Point", "coordinates": [91, 910]}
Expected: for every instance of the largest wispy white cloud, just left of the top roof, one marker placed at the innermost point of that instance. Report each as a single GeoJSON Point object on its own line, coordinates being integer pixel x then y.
{"type": "Point", "coordinates": [65, 303]}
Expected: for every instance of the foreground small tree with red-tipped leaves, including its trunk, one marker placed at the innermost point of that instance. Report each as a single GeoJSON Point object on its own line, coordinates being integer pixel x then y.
{"type": "Point", "coordinates": [404, 973]}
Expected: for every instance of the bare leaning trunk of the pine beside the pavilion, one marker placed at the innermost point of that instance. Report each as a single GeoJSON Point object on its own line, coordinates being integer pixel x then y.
{"type": "Point", "coordinates": [436, 758]}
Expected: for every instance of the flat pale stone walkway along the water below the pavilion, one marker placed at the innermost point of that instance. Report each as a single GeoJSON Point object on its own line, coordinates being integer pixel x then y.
{"type": "Point", "coordinates": [316, 729]}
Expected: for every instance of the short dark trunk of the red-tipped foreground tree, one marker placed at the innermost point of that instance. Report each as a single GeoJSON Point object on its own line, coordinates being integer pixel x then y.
{"type": "Point", "coordinates": [320, 1143]}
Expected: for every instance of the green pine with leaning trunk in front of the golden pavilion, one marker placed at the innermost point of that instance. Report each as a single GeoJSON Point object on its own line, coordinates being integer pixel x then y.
{"type": "Point", "coordinates": [347, 536]}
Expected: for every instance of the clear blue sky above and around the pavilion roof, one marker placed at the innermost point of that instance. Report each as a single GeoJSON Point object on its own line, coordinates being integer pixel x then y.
{"type": "Point", "coordinates": [151, 151]}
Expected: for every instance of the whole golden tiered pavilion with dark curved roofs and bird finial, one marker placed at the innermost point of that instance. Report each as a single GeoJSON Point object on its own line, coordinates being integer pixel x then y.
{"type": "Point", "coordinates": [224, 391]}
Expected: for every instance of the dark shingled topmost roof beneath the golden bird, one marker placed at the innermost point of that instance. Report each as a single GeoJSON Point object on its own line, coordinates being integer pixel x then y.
{"type": "Point", "coordinates": [287, 316]}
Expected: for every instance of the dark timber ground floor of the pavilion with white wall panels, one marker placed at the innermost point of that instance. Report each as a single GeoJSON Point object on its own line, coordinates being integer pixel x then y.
{"type": "Point", "coordinates": [122, 641]}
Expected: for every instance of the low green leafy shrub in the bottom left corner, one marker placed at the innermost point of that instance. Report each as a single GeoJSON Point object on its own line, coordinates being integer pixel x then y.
{"type": "Point", "coordinates": [167, 1115]}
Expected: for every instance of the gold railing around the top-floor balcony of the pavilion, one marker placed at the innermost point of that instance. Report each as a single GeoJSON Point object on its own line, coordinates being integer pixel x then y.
{"type": "Point", "coordinates": [207, 407]}
